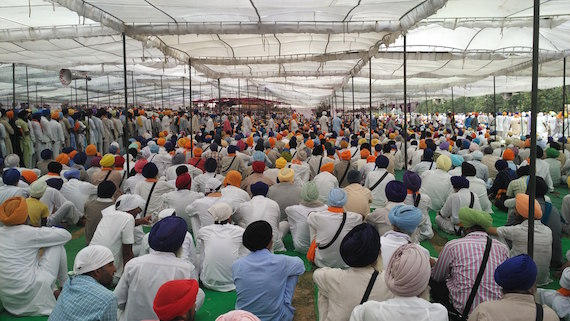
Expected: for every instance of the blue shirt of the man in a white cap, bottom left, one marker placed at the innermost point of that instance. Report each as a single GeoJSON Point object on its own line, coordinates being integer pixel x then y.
{"type": "Point", "coordinates": [83, 298]}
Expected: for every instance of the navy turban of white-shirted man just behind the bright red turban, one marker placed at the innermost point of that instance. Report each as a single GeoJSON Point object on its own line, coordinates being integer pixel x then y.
{"type": "Point", "coordinates": [168, 234]}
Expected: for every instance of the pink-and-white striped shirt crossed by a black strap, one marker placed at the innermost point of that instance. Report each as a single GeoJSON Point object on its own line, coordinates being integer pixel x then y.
{"type": "Point", "coordinates": [459, 263]}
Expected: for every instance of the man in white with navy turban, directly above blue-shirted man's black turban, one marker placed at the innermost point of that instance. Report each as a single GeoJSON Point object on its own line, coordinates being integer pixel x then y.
{"type": "Point", "coordinates": [262, 208]}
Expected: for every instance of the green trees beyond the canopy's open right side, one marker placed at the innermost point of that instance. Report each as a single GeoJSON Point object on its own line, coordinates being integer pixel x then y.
{"type": "Point", "coordinates": [548, 100]}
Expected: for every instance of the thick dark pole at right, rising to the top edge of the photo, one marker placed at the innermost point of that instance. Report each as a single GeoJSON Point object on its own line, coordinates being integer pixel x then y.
{"type": "Point", "coordinates": [531, 189]}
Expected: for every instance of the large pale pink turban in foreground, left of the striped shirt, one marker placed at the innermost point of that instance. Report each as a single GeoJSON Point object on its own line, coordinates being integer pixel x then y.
{"type": "Point", "coordinates": [409, 271]}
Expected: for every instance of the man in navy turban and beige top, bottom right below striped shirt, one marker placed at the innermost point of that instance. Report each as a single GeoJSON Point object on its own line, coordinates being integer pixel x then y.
{"type": "Point", "coordinates": [517, 277]}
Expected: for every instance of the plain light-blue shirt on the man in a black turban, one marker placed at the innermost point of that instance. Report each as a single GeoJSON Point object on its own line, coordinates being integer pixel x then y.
{"type": "Point", "coordinates": [265, 284]}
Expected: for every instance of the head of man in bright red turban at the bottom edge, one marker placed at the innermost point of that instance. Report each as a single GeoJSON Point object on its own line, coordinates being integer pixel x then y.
{"type": "Point", "coordinates": [176, 300]}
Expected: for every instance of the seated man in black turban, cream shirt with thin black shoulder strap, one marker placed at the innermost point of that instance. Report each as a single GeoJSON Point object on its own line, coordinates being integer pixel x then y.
{"type": "Point", "coordinates": [341, 290]}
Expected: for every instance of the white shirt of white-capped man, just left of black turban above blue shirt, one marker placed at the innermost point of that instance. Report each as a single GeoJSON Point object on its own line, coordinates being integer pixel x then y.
{"type": "Point", "coordinates": [219, 246]}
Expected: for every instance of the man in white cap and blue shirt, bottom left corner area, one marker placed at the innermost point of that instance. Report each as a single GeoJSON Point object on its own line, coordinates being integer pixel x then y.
{"type": "Point", "coordinates": [86, 296]}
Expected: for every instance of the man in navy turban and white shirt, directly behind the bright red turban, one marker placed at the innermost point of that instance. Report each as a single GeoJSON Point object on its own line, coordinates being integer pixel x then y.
{"type": "Point", "coordinates": [145, 274]}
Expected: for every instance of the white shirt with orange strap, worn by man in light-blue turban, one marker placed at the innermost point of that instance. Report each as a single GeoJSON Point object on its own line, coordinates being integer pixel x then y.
{"type": "Point", "coordinates": [323, 226]}
